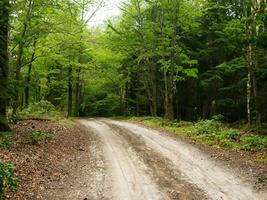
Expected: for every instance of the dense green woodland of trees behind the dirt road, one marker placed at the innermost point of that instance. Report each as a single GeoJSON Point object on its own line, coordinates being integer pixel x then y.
{"type": "Point", "coordinates": [179, 59]}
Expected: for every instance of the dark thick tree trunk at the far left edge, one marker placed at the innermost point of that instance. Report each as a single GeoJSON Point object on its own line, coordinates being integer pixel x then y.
{"type": "Point", "coordinates": [4, 22]}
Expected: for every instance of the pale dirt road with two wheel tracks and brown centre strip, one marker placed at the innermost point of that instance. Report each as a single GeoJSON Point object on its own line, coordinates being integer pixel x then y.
{"type": "Point", "coordinates": [144, 164]}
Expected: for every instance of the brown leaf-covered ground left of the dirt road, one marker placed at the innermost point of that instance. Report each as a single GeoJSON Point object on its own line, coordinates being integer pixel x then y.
{"type": "Point", "coordinates": [69, 166]}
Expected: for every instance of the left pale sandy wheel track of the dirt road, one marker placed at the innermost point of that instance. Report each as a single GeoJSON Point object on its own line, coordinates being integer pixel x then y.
{"type": "Point", "coordinates": [129, 179]}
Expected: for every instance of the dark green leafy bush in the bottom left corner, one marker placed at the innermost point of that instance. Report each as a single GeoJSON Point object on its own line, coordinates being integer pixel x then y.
{"type": "Point", "coordinates": [7, 178]}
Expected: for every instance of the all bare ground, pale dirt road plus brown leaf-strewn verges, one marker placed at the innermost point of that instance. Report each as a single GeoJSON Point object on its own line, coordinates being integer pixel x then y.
{"type": "Point", "coordinates": [111, 159]}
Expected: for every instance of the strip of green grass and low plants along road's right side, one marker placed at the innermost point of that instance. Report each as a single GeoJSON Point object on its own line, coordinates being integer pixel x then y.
{"type": "Point", "coordinates": [211, 132]}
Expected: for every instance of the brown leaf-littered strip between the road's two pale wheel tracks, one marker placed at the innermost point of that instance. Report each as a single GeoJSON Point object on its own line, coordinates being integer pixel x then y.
{"type": "Point", "coordinates": [166, 177]}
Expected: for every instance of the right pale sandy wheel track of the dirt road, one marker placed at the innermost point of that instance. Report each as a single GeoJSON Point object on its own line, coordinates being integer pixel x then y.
{"type": "Point", "coordinates": [217, 182]}
